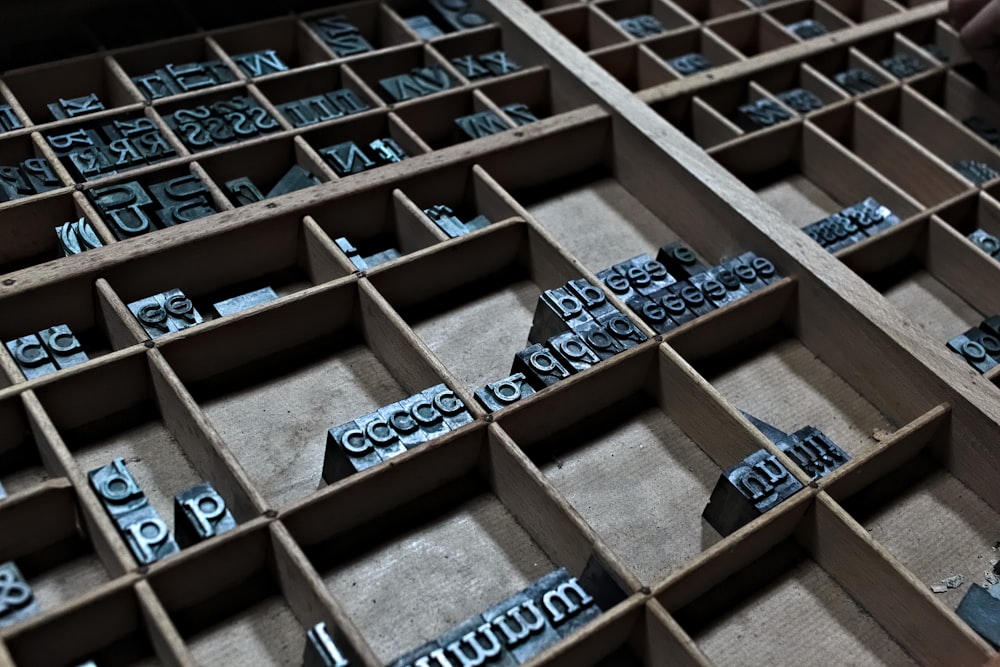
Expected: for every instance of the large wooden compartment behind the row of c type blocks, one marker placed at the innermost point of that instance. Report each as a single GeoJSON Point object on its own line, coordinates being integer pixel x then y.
{"type": "Point", "coordinates": [326, 352]}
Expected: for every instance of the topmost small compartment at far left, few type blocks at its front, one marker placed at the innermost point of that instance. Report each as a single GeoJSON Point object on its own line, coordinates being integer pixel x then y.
{"type": "Point", "coordinates": [71, 81]}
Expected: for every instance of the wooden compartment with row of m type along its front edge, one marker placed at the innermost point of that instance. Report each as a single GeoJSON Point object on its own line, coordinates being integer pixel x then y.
{"type": "Point", "coordinates": [386, 557]}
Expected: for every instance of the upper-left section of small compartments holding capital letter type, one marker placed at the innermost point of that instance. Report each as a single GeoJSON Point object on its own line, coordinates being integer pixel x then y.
{"type": "Point", "coordinates": [303, 109]}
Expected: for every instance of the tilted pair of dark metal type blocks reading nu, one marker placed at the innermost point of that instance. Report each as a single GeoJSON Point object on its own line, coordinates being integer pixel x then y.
{"type": "Point", "coordinates": [753, 486]}
